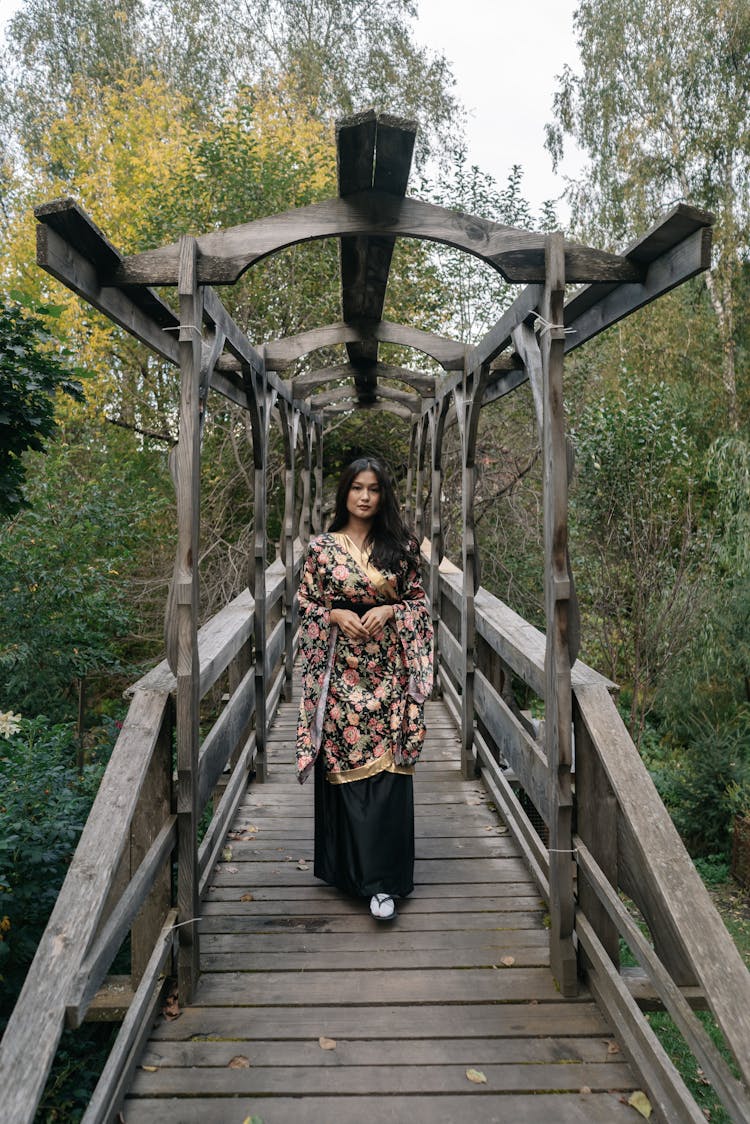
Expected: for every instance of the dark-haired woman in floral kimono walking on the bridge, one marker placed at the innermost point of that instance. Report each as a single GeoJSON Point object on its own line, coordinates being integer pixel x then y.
{"type": "Point", "coordinates": [367, 672]}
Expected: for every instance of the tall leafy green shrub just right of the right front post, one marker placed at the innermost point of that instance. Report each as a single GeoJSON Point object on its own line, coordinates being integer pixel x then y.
{"type": "Point", "coordinates": [634, 523]}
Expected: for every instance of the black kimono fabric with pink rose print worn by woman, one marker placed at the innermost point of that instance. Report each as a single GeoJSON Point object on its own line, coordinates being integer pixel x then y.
{"type": "Point", "coordinates": [360, 700]}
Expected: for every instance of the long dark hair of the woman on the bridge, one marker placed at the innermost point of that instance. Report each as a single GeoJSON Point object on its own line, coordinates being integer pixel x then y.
{"type": "Point", "coordinates": [390, 539]}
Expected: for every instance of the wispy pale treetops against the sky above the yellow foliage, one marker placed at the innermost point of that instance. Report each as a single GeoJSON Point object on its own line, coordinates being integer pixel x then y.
{"type": "Point", "coordinates": [332, 57]}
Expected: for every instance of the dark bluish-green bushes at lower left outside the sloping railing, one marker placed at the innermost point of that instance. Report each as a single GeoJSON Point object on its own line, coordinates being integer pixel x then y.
{"type": "Point", "coordinates": [44, 803]}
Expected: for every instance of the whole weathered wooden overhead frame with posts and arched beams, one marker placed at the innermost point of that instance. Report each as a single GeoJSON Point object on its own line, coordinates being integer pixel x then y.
{"type": "Point", "coordinates": [528, 343]}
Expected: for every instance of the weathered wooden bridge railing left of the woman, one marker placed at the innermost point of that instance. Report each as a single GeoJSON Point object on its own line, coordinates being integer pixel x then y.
{"type": "Point", "coordinates": [121, 878]}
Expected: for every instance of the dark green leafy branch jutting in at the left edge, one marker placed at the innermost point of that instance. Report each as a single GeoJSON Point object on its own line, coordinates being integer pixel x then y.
{"type": "Point", "coordinates": [30, 377]}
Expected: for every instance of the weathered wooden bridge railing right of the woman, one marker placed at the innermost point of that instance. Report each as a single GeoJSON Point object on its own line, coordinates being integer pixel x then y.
{"type": "Point", "coordinates": [625, 847]}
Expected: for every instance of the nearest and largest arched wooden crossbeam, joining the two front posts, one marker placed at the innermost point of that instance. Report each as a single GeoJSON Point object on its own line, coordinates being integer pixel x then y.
{"type": "Point", "coordinates": [518, 256]}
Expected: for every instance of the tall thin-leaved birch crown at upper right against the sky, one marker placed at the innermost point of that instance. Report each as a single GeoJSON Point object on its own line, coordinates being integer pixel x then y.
{"type": "Point", "coordinates": [662, 110]}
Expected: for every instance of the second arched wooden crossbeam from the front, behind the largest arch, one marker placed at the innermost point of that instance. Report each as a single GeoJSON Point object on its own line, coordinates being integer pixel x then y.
{"type": "Point", "coordinates": [282, 353]}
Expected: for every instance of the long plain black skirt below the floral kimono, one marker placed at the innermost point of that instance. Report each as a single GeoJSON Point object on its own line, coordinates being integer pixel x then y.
{"type": "Point", "coordinates": [365, 835]}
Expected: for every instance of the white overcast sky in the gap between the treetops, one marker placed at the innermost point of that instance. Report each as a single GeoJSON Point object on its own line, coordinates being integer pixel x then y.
{"type": "Point", "coordinates": [505, 56]}
